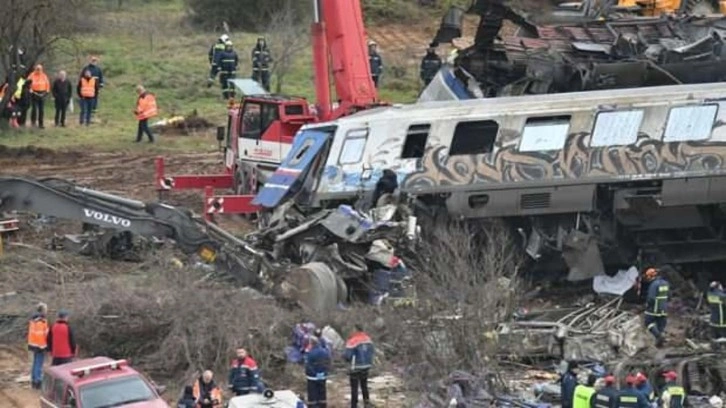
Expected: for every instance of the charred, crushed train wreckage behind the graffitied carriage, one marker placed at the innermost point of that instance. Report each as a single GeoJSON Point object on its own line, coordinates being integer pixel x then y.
{"type": "Point", "coordinates": [597, 54]}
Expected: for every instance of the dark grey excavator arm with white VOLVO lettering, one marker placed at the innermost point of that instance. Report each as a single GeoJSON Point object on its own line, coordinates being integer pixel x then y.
{"type": "Point", "coordinates": [63, 199]}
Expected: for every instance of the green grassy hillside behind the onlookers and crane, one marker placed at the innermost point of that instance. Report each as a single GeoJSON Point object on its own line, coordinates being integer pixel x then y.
{"type": "Point", "coordinates": [150, 43]}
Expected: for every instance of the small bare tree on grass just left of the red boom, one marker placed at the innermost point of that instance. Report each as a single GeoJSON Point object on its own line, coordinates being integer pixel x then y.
{"type": "Point", "coordinates": [287, 37]}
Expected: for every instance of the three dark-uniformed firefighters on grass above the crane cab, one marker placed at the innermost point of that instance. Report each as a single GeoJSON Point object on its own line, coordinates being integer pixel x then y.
{"type": "Point", "coordinates": [224, 61]}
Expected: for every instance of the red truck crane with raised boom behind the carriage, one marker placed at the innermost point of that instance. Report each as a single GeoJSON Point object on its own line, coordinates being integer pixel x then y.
{"type": "Point", "coordinates": [261, 128]}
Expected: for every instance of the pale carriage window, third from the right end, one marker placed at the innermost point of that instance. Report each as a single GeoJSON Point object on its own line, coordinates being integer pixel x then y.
{"type": "Point", "coordinates": [544, 133]}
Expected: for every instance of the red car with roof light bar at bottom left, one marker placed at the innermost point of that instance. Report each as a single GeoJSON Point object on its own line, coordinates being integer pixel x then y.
{"type": "Point", "coordinates": [98, 382]}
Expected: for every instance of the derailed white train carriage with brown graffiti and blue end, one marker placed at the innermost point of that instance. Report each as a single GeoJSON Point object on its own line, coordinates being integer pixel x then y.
{"type": "Point", "coordinates": [591, 180]}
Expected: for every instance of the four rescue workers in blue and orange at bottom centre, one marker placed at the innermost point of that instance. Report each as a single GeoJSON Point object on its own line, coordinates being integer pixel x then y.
{"type": "Point", "coordinates": [244, 374]}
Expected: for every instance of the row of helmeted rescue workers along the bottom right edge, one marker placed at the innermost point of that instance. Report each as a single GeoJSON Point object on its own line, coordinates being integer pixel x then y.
{"type": "Point", "coordinates": [637, 392]}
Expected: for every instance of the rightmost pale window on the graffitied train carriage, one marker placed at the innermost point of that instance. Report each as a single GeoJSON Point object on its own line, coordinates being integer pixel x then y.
{"type": "Point", "coordinates": [686, 123]}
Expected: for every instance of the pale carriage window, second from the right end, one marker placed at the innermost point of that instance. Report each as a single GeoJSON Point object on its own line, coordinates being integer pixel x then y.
{"type": "Point", "coordinates": [616, 128]}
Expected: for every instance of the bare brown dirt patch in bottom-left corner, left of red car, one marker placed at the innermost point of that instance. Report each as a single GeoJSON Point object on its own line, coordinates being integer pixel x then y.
{"type": "Point", "coordinates": [13, 369]}
